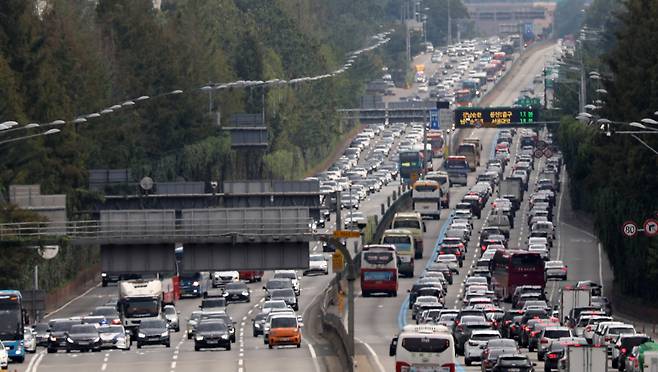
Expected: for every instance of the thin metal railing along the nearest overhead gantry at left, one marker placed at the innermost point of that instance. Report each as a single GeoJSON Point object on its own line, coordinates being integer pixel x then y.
{"type": "Point", "coordinates": [147, 229]}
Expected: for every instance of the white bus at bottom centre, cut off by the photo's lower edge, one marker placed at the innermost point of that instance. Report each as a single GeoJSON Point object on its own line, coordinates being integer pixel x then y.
{"type": "Point", "coordinates": [424, 347]}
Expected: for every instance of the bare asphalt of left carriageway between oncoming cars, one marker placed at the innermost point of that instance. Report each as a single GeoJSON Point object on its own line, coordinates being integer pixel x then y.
{"type": "Point", "coordinates": [248, 351]}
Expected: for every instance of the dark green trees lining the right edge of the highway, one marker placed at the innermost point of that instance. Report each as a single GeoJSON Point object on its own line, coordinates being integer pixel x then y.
{"type": "Point", "coordinates": [614, 178]}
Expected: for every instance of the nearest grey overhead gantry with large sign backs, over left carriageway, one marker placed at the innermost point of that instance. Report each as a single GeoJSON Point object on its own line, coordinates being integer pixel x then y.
{"type": "Point", "coordinates": [143, 241]}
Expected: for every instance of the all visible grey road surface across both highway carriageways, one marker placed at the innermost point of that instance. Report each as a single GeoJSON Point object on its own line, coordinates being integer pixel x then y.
{"type": "Point", "coordinates": [378, 319]}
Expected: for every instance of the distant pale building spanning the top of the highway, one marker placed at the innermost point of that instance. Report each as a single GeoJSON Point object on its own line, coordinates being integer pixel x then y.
{"type": "Point", "coordinates": [505, 17]}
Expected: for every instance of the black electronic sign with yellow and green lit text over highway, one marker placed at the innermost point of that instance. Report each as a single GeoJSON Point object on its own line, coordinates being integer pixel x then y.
{"type": "Point", "coordinates": [495, 117]}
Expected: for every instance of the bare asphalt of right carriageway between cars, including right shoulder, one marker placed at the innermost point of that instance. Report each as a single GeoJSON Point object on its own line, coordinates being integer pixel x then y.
{"type": "Point", "coordinates": [378, 319]}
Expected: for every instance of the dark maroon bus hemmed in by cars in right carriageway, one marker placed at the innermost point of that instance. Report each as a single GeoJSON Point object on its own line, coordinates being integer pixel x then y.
{"type": "Point", "coordinates": [512, 268]}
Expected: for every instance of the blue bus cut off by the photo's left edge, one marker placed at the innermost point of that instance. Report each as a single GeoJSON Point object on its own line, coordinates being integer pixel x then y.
{"type": "Point", "coordinates": [11, 323]}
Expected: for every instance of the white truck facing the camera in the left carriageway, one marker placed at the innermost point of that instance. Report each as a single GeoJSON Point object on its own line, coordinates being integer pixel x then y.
{"type": "Point", "coordinates": [139, 299]}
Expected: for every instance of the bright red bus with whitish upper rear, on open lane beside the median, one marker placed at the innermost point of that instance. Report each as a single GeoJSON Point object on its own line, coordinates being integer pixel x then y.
{"type": "Point", "coordinates": [379, 270]}
